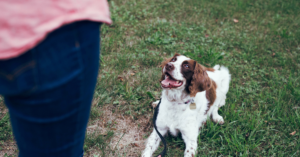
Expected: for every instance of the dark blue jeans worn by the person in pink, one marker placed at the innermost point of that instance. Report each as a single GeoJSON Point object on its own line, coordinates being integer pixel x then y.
{"type": "Point", "coordinates": [49, 89]}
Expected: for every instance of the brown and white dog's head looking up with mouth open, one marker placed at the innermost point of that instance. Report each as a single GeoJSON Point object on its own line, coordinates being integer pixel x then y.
{"type": "Point", "coordinates": [183, 73]}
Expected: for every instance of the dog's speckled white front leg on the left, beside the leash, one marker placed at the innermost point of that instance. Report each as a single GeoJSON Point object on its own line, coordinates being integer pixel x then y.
{"type": "Point", "coordinates": [153, 142]}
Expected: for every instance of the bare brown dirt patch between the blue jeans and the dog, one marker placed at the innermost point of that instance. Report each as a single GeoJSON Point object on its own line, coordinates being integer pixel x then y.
{"type": "Point", "coordinates": [128, 134]}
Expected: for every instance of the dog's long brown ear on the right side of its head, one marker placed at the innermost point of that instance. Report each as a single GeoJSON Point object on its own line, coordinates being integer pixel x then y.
{"type": "Point", "coordinates": [200, 81]}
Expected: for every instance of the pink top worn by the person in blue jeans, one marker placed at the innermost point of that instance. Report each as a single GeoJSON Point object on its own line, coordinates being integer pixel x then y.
{"type": "Point", "coordinates": [24, 23]}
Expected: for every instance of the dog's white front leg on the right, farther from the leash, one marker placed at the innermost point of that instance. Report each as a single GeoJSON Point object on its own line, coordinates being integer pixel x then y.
{"type": "Point", "coordinates": [189, 136]}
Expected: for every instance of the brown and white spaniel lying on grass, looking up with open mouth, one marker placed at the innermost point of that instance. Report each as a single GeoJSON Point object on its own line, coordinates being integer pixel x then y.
{"type": "Point", "coordinates": [191, 93]}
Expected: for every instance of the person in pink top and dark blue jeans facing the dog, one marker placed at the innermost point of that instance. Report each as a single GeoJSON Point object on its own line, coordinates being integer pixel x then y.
{"type": "Point", "coordinates": [49, 61]}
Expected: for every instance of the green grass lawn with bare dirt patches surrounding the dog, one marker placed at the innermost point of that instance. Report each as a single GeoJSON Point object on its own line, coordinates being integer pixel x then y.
{"type": "Point", "coordinates": [258, 40]}
